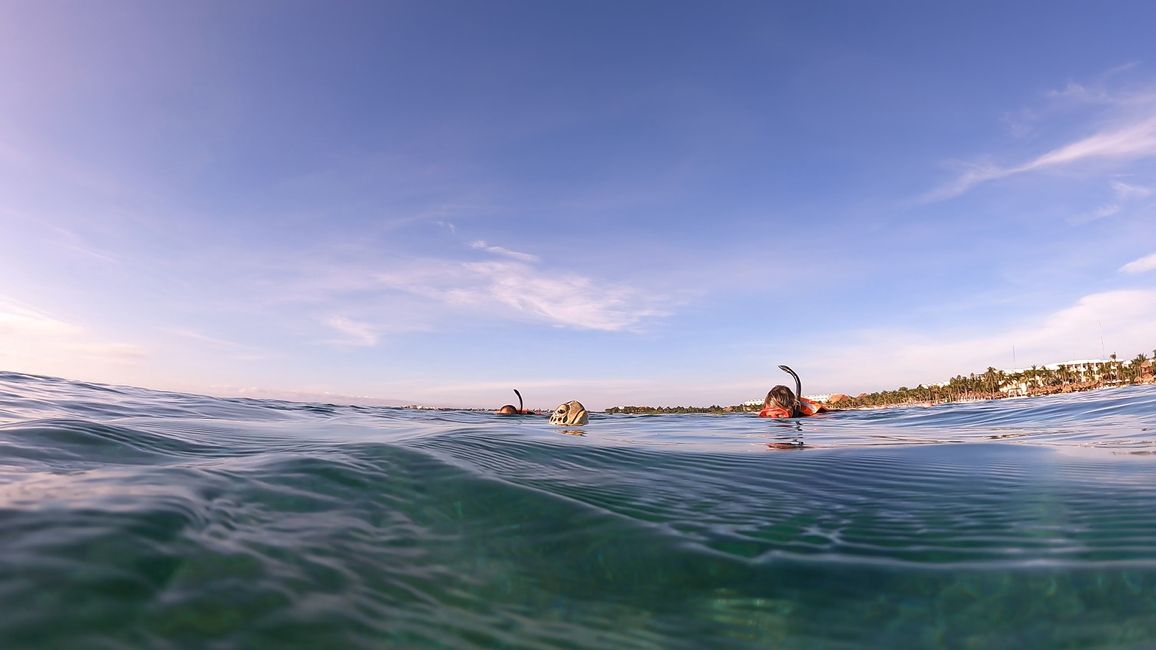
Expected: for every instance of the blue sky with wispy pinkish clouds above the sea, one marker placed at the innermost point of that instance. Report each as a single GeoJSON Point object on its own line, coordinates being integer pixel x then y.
{"type": "Point", "coordinates": [620, 203]}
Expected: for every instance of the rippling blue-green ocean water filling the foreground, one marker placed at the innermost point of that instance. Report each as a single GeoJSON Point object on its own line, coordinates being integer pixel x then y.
{"type": "Point", "coordinates": [134, 519]}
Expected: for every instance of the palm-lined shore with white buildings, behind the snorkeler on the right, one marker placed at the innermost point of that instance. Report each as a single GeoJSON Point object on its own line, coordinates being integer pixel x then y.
{"type": "Point", "coordinates": [990, 385]}
